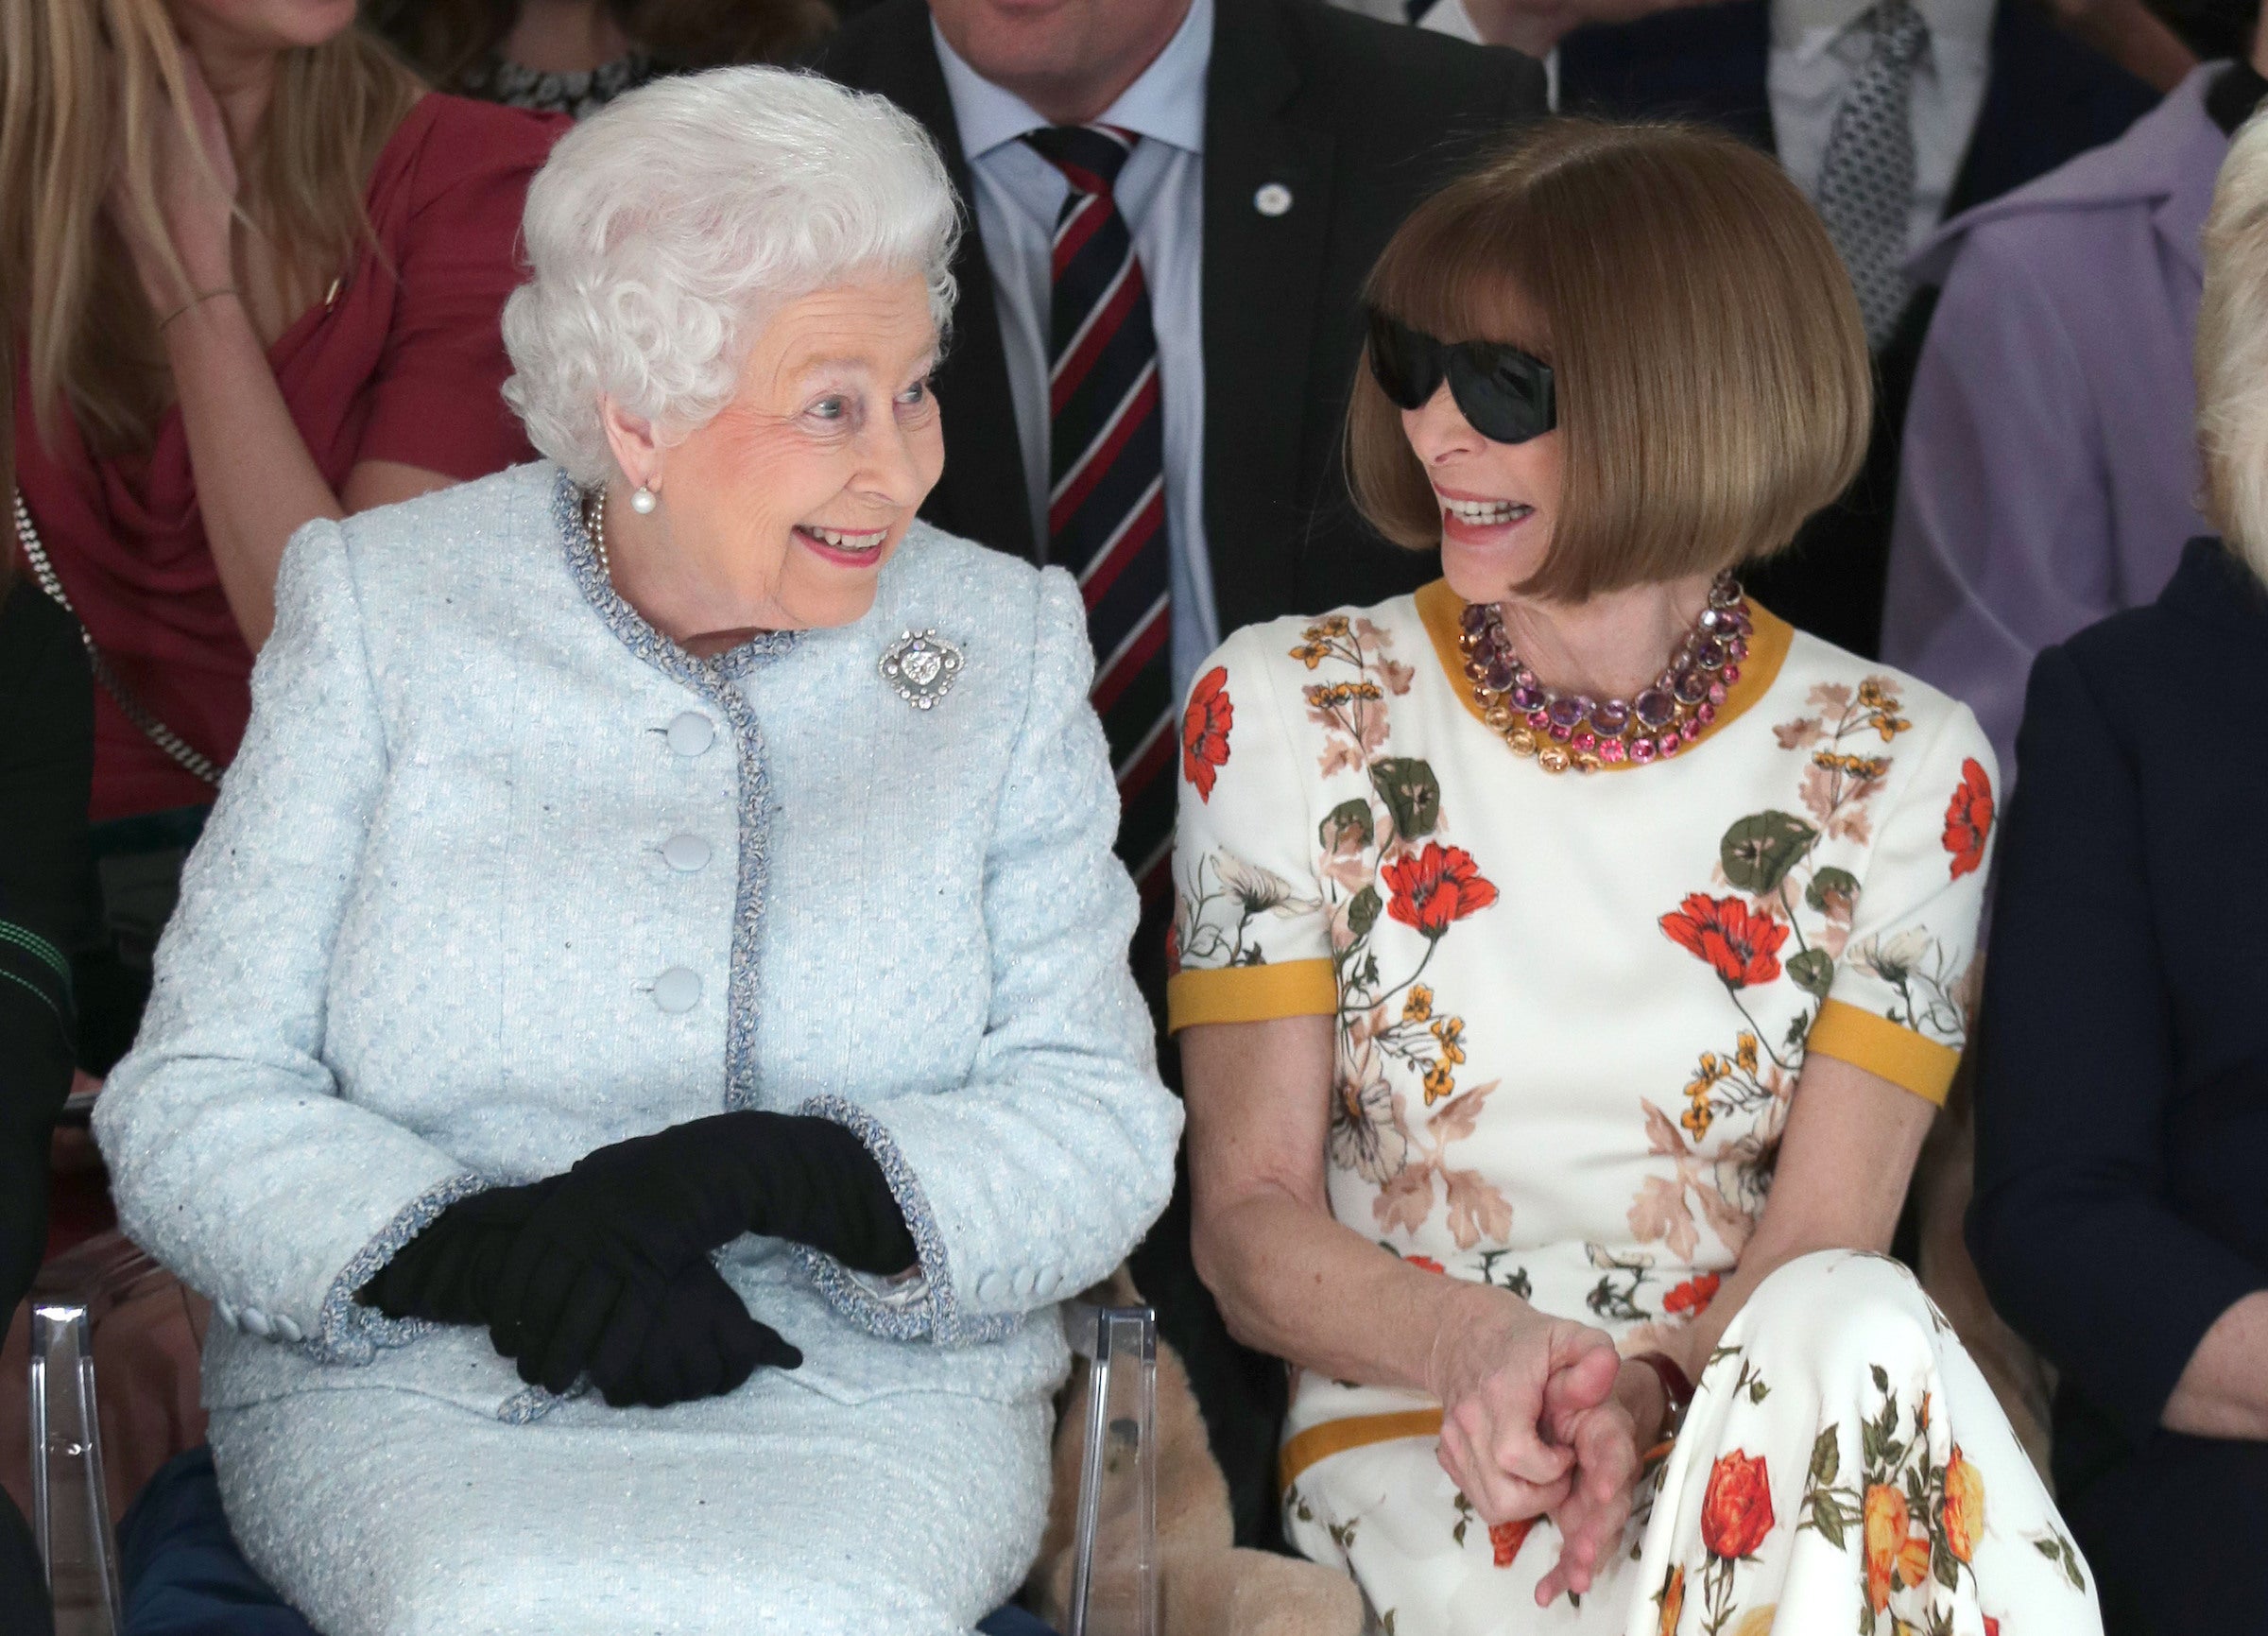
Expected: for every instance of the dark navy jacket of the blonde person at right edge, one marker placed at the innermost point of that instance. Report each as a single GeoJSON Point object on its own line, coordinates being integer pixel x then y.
{"type": "Point", "coordinates": [2124, 1083]}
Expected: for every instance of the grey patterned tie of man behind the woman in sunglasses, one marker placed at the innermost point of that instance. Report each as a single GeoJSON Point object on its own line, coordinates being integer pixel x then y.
{"type": "Point", "coordinates": [1868, 176]}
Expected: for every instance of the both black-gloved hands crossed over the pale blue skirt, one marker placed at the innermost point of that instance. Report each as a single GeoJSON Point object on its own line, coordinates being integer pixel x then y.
{"type": "Point", "coordinates": [607, 1270]}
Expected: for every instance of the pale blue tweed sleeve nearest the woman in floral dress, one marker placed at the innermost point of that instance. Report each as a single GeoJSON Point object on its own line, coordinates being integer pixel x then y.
{"type": "Point", "coordinates": [1042, 1170]}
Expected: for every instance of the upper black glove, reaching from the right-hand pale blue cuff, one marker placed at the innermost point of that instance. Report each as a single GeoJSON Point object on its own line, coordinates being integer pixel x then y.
{"type": "Point", "coordinates": [643, 1211]}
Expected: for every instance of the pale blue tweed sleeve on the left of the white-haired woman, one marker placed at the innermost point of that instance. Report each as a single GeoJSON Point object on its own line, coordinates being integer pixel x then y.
{"type": "Point", "coordinates": [232, 1154]}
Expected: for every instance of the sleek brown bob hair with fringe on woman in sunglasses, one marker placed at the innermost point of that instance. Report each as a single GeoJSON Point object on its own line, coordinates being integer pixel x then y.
{"type": "Point", "coordinates": [1707, 348]}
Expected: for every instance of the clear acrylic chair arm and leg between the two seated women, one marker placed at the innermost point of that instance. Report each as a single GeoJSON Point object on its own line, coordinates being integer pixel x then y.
{"type": "Point", "coordinates": [1115, 1583]}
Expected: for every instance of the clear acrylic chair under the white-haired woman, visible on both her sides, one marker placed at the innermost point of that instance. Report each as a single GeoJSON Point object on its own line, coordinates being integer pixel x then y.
{"type": "Point", "coordinates": [1115, 1589]}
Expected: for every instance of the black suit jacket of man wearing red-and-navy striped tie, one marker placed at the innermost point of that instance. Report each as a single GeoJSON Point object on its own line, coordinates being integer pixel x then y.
{"type": "Point", "coordinates": [1360, 121]}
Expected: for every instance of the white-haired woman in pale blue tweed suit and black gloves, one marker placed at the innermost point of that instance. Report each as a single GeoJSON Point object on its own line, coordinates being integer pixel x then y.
{"type": "Point", "coordinates": [648, 1036]}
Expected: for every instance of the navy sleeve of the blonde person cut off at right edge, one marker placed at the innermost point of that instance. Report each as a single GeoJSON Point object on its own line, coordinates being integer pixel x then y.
{"type": "Point", "coordinates": [2072, 1224]}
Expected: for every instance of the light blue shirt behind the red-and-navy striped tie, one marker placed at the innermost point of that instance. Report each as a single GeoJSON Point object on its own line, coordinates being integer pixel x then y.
{"type": "Point", "coordinates": [1162, 199]}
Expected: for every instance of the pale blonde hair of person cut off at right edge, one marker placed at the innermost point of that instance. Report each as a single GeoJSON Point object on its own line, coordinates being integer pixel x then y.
{"type": "Point", "coordinates": [2233, 351]}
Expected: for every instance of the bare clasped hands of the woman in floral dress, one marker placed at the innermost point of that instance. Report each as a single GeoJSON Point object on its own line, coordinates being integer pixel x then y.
{"type": "Point", "coordinates": [1541, 1417]}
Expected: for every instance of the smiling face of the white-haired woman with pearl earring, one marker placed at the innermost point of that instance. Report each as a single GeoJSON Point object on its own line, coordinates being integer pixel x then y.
{"type": "Point", "coordinates": [781, 512]}
